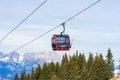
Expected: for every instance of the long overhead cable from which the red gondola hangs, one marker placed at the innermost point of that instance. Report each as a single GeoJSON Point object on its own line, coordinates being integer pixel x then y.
{"type": "Point", "coordinates": [58, 25]}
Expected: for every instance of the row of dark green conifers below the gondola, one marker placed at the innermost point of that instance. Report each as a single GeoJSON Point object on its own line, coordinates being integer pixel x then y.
{"type": "Point", "coordinates": [75, 67]}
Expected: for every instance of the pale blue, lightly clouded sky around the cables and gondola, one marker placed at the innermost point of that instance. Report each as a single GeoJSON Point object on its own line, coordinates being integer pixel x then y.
{"type": "Point", "coordinates": [95, 30]}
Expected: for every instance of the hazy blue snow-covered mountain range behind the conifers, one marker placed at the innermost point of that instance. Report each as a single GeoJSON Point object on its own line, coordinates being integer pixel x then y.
{"type": "Point", "coordinates": [13, 63]}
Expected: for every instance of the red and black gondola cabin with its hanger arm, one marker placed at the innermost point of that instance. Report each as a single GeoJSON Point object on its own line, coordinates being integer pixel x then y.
{"type": "Point", "coordinates": [61, 42]}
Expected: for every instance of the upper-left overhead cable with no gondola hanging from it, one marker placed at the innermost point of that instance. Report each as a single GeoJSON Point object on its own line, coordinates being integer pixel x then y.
{"type": "Point", "coordinates": [23, 20]}
